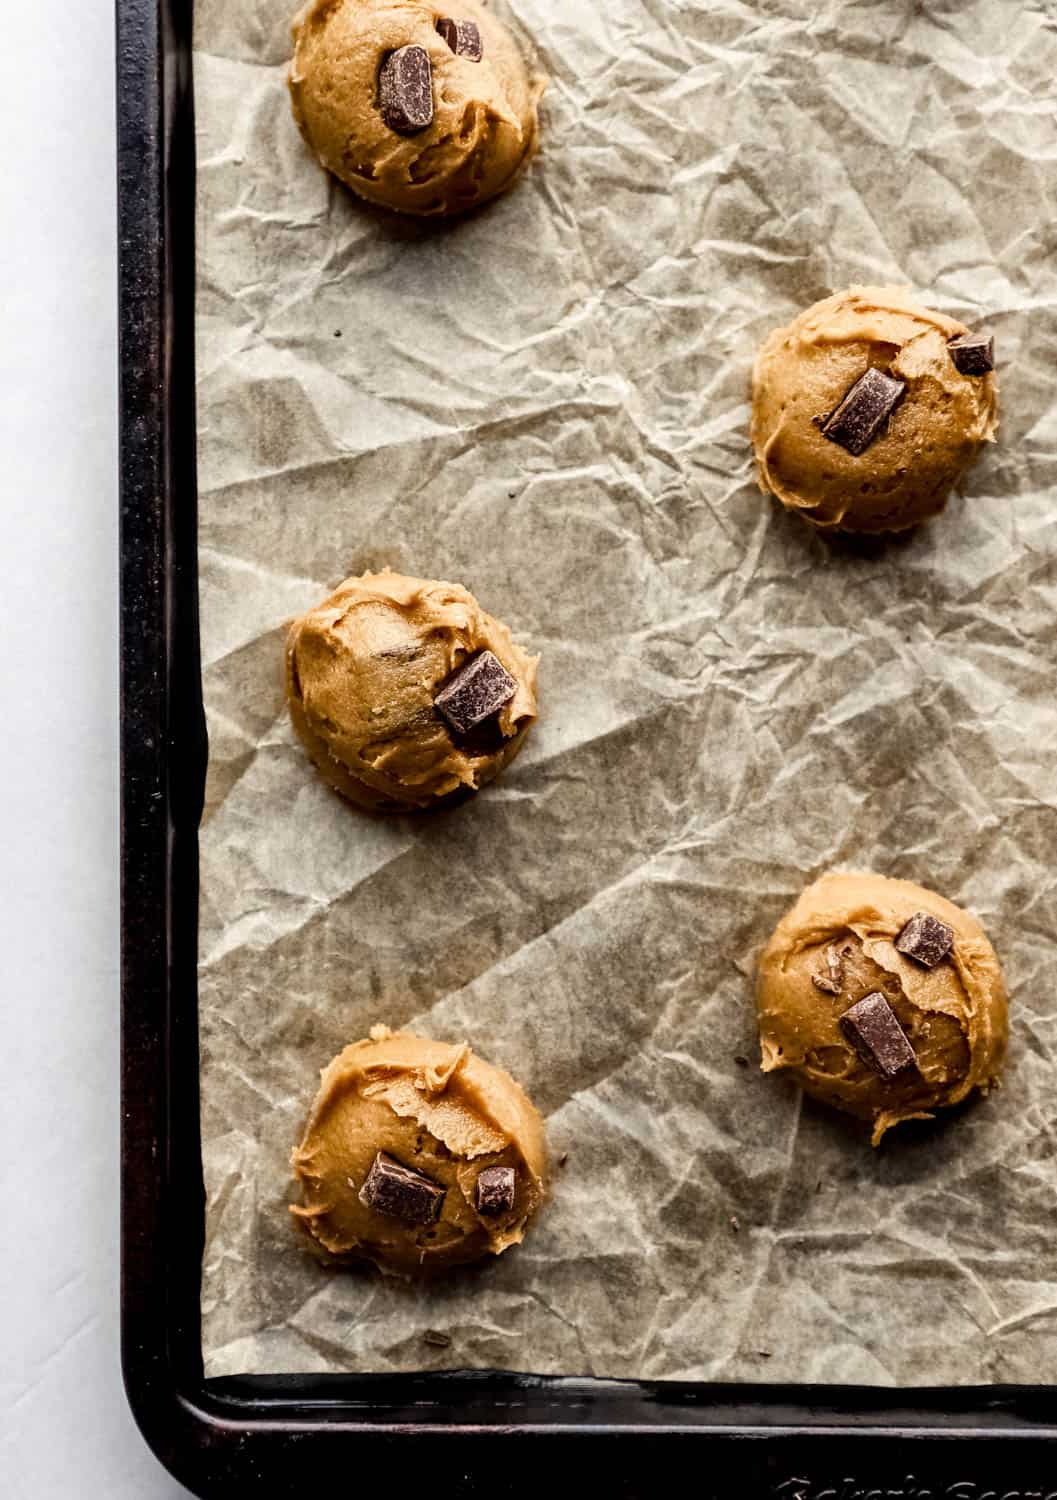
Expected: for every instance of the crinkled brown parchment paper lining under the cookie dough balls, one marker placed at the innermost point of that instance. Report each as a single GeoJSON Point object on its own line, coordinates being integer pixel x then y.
{"type": "Point", "coordinates": [549, 404]}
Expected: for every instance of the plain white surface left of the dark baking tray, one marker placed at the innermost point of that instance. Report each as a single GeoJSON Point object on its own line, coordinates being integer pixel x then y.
{"type": "Point", "coordinates": [65, 1429]}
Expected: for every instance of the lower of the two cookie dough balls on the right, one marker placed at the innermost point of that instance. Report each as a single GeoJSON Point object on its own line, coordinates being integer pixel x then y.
{"type": "Point", "coordinates": [882, 1000]}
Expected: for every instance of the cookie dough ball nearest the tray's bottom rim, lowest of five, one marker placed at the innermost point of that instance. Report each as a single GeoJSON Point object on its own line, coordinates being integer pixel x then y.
{"type": "Point", "coordinates": [419, 1157]}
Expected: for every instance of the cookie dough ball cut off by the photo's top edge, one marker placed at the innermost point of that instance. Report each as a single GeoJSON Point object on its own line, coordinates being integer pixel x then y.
{"type": "Point", "coordinates": [427, 134]}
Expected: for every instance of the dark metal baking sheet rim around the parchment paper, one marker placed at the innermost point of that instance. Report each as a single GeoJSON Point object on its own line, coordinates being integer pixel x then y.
{"type": "Point", "coordinates": [472, 1432]}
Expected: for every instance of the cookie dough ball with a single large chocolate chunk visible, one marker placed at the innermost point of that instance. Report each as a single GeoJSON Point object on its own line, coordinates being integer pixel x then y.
{"type": "Point", "coordinates": [367, 671]}
